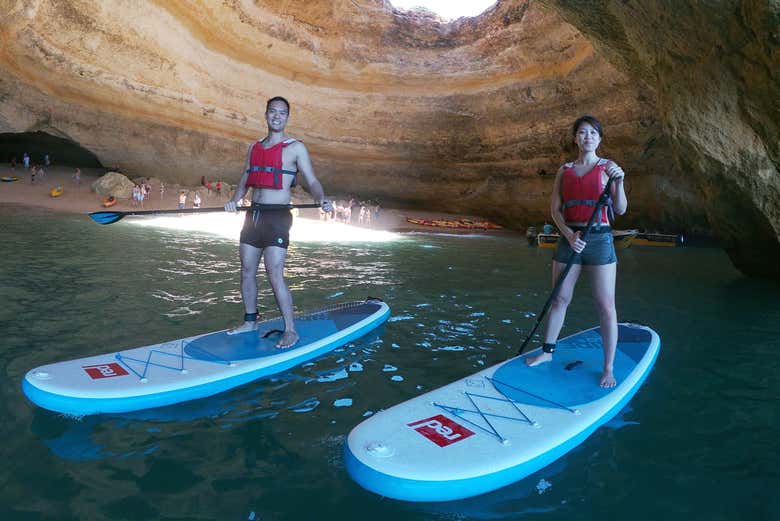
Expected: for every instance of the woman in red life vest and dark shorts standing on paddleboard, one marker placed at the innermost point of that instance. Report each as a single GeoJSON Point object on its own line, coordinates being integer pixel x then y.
{"type": "Point", "coordinates": [577, 188]}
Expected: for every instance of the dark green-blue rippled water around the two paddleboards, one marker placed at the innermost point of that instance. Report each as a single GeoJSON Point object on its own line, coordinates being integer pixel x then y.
{"type": "Point", "coordinates": [699, 441]}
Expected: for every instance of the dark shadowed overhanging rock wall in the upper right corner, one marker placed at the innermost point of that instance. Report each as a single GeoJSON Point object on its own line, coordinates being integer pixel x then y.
{"type": "Point", "coordinates": [715, 68]}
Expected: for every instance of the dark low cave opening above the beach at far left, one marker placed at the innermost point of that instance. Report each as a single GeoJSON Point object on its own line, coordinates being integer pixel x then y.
{"type": "Point", "coordinates": [61, 151]}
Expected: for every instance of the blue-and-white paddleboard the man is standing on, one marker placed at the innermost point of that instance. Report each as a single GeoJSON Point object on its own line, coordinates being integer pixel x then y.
{"type": "Point", "coordinates": [194, 367]}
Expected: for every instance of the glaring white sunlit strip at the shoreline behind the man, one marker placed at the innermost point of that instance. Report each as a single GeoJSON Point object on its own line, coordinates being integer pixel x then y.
{"type": "Point", "coordinates": [303, 230]}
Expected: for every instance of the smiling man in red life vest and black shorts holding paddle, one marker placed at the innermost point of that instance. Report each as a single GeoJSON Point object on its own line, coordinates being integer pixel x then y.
{"type": "Point", "coordinates": [271, 167]}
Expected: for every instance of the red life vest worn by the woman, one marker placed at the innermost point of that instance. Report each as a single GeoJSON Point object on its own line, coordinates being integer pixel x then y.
{"type": "Point", "coordinates": [581, 193]}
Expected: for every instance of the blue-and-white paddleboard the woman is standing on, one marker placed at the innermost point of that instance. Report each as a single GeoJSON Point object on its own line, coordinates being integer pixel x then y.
{"type": "Point", "coordinates": [497, 426]}
